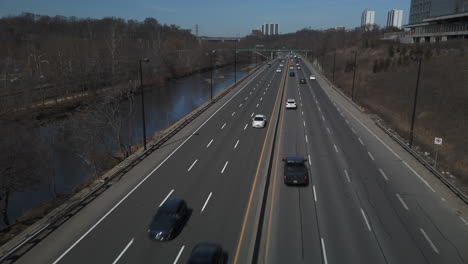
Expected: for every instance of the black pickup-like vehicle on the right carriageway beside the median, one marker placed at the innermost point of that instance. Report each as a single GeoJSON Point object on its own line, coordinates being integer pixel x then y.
{"type": "Point", "coordinates": [295, 171]}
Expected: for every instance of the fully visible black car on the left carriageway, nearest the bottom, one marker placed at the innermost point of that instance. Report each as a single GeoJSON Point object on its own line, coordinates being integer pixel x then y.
{"type": "Point", "coordinates": [168, 220]}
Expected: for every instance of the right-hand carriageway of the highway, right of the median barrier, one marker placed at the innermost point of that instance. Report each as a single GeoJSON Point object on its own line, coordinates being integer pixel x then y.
{"type": "Point", "coordinates": [363, 205]}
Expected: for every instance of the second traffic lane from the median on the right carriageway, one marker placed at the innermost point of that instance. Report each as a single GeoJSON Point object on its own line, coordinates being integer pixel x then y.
{"type": "Point", "coordinates": [342, 227]}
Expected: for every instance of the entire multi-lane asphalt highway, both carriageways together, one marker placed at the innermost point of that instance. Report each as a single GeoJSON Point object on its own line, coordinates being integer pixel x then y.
{"type": "Point", "coordinates": [367, 202]}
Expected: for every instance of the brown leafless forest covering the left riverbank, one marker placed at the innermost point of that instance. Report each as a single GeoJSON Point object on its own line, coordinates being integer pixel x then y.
{"type": "Point", "coordinates": [82, 70]}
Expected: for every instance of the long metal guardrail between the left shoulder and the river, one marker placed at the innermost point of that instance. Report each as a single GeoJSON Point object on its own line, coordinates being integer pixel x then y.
{"type": "Point", "coordinates": [38, 235]}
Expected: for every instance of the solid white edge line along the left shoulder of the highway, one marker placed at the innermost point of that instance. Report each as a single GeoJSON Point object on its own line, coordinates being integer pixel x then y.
{"type": "Point", "coordinates": [147, 176]}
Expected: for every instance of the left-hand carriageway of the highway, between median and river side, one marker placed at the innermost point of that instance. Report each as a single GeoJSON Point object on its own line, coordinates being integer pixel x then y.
{"type": "Point", "coordinates": [212, 170]}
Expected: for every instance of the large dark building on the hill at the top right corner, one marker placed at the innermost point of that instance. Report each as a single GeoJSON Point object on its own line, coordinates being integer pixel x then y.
{"type": "Point", "coordinates": [438, 20]}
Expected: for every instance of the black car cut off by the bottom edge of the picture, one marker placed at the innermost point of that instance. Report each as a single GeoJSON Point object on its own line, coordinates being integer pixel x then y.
{"type": "Point", "coordinates": [207, 253]}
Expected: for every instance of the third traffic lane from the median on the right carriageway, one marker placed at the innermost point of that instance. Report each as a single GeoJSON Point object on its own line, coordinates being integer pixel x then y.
{"type": "Point", "coordinates": [368, 190]}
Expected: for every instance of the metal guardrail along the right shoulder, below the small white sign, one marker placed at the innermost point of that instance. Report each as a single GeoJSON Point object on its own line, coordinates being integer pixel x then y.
{"type": "Point", "coordinates": [426, 164]}
